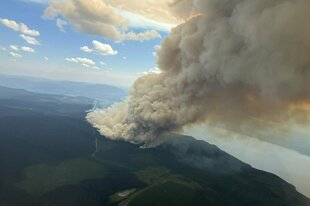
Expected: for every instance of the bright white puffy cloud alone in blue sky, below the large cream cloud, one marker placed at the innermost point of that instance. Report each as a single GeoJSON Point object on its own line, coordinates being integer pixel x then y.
{"type": "Point", "coordinates": [100, 48]}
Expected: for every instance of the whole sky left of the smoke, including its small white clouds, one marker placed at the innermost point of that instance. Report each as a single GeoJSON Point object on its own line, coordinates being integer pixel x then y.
{"type": "Point", "coordinates": [34, 42]}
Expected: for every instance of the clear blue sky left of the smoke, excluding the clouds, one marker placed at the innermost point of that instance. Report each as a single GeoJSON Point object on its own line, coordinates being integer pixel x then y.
{"type": "Point", "coordinates": [133, 57]}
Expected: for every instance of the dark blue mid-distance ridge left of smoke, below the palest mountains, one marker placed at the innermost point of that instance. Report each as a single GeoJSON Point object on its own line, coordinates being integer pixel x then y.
{"type": "Point", "coordinates": [20, 101]}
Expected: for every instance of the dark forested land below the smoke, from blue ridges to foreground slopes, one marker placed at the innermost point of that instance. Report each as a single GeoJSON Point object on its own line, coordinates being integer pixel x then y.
{"type": "Point", "coordinates": [50, 156]}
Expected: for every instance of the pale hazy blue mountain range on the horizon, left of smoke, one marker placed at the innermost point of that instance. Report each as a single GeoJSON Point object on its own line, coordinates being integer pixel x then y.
{"type": "Point", "coordinates": [46, 86]}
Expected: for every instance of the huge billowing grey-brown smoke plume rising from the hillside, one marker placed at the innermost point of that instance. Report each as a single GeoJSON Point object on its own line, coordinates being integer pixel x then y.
{"type": "Point", "coordinates": [236, 63]}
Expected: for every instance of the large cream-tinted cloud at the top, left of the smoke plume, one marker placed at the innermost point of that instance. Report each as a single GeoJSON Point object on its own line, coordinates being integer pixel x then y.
{"type": "Point", "coordinates": [96, 17]}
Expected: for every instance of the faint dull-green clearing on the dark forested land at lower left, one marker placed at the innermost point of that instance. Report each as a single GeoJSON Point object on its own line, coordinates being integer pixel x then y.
{"type": "Point", "coordinates": [43, 178]}
